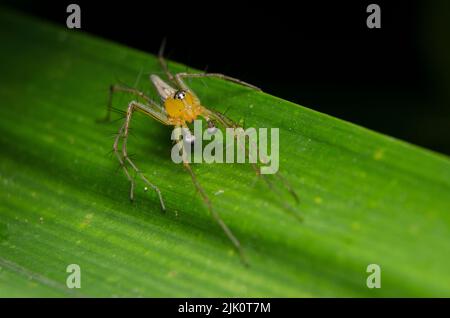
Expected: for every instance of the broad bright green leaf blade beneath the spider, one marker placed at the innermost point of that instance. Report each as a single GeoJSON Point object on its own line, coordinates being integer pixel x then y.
{"type": "Point", "coordinates": [366, 198]}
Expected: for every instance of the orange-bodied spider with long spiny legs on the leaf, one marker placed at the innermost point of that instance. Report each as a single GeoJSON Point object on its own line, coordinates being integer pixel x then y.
{"type": "Point", "coordinates": [180, 106]}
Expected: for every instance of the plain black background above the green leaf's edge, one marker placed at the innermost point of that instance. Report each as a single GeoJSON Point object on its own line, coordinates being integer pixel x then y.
{"type": "Point", "coordinates": [395, 80]}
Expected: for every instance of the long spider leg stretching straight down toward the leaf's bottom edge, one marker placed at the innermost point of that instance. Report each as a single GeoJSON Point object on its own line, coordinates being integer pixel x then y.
{"type": "Point", "coordinates": [211, 209]}
